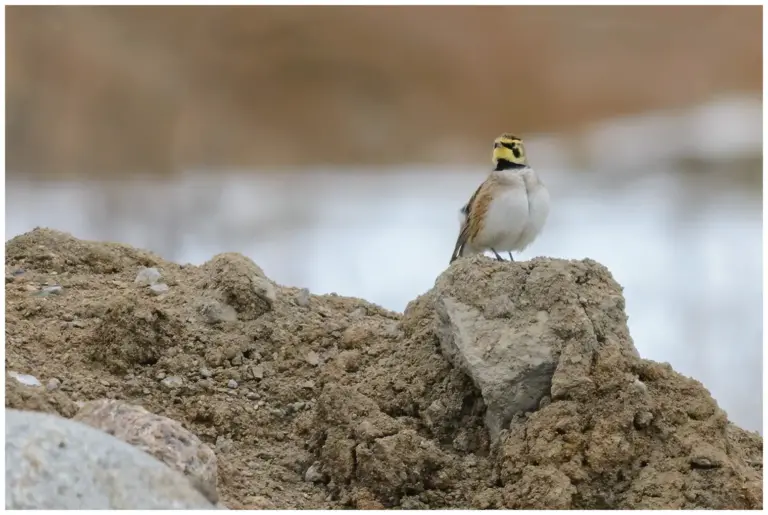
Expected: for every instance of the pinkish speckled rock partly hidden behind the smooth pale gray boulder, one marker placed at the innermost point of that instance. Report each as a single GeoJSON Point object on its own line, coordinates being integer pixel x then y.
{"type": "Point", "coordinates": [162, 437]}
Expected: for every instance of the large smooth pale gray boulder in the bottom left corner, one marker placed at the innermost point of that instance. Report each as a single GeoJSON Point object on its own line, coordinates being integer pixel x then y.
{"type": "Point", "coordinates": [53, 463]}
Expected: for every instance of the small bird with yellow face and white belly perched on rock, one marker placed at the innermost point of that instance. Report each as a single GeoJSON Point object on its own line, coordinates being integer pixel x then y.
{"type": "Point", "coordinates": [509, 209]}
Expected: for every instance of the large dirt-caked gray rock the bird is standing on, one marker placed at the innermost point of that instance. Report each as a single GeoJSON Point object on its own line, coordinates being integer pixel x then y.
{"type": "Point", "coordinates": [510, 329]}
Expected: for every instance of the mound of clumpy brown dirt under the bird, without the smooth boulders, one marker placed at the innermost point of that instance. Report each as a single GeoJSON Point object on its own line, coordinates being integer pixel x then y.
{"type": "Point", "coordinates": [321, 401]}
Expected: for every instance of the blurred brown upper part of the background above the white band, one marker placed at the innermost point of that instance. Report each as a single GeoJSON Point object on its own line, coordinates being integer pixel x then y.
{"type": "Point", "coordinates": [117, 89]}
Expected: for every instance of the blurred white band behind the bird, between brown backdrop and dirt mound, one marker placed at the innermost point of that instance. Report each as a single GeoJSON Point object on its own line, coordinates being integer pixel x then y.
{"type": "Point", "coordinates": [683, 239]}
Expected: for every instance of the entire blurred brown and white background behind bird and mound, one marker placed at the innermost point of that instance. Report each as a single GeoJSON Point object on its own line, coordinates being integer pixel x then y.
{"type": "Point", "coordinates": [335, 145]}
